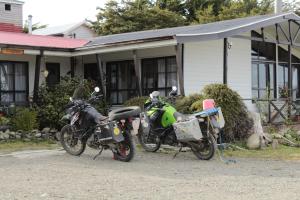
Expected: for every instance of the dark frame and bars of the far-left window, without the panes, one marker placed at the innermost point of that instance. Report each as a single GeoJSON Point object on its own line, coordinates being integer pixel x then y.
{"type": "Point", "coordinates": [14, 92]}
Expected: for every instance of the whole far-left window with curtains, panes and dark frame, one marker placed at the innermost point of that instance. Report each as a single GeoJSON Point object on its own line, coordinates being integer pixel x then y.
{"type": "Point", "coordinates": [14, 82]}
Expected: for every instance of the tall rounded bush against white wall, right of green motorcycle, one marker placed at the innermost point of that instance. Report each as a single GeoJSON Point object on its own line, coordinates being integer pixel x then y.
{"type": "Point", "coordinates": [234, 110]}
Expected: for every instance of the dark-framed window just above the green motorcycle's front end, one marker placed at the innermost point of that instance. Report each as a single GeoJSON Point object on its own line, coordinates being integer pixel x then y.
{"type": "Point", "coordinates": [159, 74]}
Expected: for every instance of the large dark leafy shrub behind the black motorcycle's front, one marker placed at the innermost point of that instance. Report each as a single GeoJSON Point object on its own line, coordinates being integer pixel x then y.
{"type": "Point", "coordinates": [52, 100]}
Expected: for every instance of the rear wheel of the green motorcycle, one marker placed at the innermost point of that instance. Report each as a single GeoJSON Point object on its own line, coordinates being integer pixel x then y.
{"type": "Point", "coordinates": [205, 149]}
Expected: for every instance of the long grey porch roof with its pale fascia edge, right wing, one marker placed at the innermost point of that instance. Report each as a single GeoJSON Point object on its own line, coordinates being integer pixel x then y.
{"type": "Point", "coordinates": [216, 30]}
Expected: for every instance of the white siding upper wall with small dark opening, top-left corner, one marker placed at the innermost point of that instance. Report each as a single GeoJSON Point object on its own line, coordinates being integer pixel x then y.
{"type": "Point", "coordinates": [15, 16]}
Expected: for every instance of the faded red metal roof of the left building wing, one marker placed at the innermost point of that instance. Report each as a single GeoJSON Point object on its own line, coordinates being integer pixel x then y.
{"type": "Point", "coordinates": [22, 39]}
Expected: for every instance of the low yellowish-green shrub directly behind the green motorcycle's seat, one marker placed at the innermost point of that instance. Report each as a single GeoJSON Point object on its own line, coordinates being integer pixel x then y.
{"type": "Point", "coordinates": [184, 104]}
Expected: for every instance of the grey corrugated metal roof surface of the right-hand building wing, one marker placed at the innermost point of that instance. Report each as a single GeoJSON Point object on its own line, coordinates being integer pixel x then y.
{"type": "Point", "coordinates": [202, 29]}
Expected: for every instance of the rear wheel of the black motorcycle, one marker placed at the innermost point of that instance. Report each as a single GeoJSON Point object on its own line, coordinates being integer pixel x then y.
{"type": "Point", "coordinates": [125, 150]}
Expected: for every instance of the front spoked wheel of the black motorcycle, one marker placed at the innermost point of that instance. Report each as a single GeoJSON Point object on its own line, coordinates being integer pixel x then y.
{"type": "Point", "coordinates": [70, 143]}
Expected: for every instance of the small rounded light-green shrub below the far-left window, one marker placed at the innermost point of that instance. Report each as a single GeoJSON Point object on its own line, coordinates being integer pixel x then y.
{"type": "Point", "coordinates": [25, 119]}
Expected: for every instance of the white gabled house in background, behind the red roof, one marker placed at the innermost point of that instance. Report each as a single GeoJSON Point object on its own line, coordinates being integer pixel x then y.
{"type": "Point", "coordinates": [81, 30]}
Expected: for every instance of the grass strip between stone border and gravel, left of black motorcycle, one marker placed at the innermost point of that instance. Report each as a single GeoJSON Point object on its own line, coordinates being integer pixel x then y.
{"type": "Point", "coordinates": [12, 146]}
